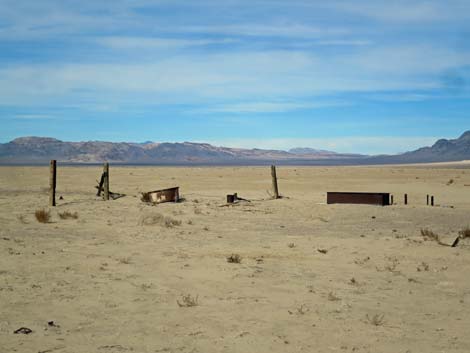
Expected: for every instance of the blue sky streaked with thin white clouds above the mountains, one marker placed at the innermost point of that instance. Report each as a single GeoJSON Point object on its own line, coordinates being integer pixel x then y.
{"type": "Point", "coordinates": [366, 76]}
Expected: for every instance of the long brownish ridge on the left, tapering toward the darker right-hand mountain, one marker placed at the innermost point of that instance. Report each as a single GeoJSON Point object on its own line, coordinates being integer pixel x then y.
{"type": "Point", "coordinates": [34, 149]}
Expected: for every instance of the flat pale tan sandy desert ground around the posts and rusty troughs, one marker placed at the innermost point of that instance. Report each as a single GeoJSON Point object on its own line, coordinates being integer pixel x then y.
{"type": "Point", "coordinates": [115, 279]}
